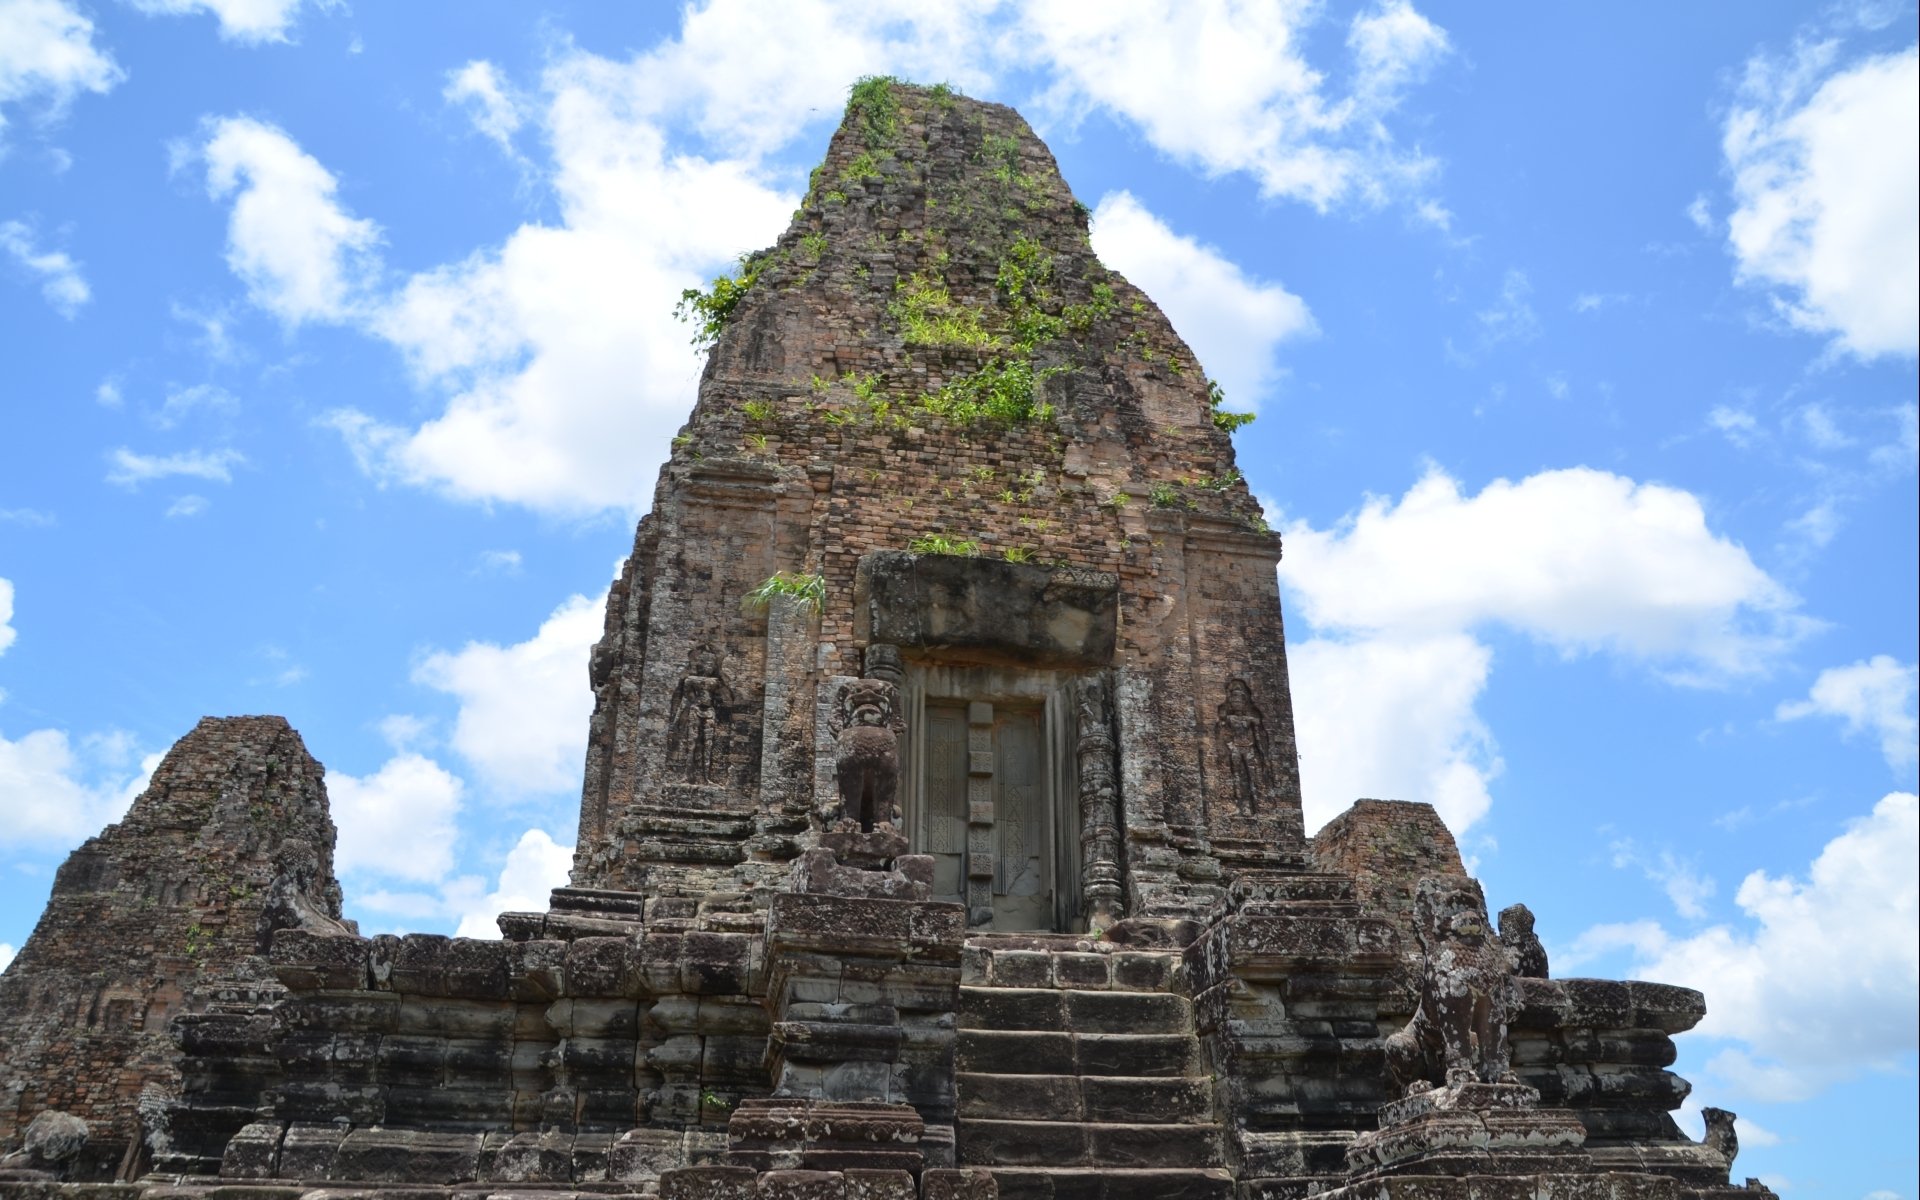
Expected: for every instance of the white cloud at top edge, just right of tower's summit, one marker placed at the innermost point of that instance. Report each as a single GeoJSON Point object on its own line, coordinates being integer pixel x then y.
{"type": "Point", "coordinates": [1264, 110]}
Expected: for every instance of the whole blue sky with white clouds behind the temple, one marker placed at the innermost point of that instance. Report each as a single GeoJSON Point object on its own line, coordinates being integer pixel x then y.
{"type": "Point", "coordinates": [341, 362]}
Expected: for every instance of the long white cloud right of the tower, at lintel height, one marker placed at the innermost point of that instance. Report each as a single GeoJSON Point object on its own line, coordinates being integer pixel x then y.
{"type": "Point", "coordinates": [1581, 560]}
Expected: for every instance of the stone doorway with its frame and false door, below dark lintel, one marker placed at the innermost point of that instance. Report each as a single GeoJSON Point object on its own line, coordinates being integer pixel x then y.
{"type": "Point", "coordinates": [988, 794]}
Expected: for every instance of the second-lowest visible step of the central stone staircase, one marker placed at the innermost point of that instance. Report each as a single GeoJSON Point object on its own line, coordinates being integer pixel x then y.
{"type": "Point", "coordinates": [1086, 1145]}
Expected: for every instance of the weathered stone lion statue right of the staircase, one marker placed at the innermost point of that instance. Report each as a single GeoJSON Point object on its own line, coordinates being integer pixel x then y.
{"type": "Point", "coordinates": [1460, 1030]}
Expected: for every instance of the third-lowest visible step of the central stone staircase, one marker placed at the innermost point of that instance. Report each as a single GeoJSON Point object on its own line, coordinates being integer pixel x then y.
{"type": "Point", "coordinates": [1126, 1099]}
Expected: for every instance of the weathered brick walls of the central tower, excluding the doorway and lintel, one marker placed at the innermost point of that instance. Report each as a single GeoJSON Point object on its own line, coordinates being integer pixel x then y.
{"type": "Point", "coordinates": [938, 262]}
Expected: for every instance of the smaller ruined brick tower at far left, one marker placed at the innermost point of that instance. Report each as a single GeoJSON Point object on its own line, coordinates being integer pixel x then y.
{"type": "Point", "coordinates": [229, 844]}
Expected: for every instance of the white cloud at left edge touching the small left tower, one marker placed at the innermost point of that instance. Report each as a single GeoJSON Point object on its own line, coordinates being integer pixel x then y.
{"type": "Point", "coordinates": [59, 794]}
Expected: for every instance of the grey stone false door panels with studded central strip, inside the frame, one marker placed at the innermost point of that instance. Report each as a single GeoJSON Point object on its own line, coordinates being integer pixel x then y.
{"type": "Point", "coordinates": [988, 813]}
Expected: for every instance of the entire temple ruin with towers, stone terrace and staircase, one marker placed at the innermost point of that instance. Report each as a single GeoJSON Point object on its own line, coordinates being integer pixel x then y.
{"type": "Point", "coordinates": [940, 834]}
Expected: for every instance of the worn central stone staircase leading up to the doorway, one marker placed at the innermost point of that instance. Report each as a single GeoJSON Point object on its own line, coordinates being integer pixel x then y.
{"type": "Point", "coordinates": [1080, 1076]}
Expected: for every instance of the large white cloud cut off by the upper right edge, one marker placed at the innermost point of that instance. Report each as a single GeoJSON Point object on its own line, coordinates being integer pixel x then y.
{"type": "Point", "coordinates": [1827, 181]}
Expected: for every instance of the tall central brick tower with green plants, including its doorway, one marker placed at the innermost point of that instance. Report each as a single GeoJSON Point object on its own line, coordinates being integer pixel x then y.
{"type": "Point", "coordinates": [1011, 491]}
